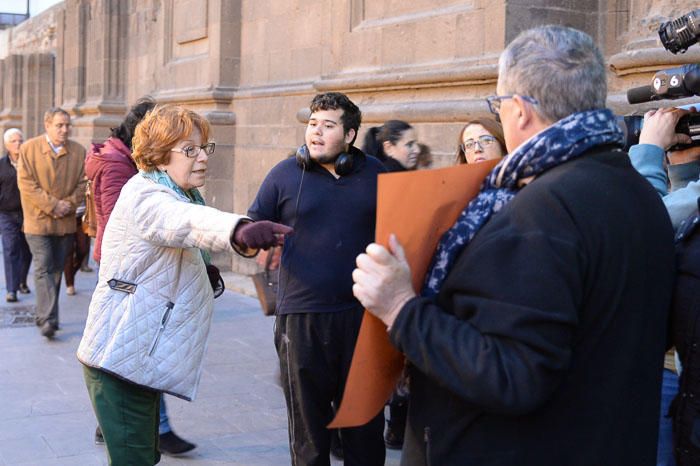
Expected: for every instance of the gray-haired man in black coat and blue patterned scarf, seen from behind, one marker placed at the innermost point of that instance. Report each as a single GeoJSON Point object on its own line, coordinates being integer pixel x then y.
{"type": "Point", "coordinates": [539, 334]}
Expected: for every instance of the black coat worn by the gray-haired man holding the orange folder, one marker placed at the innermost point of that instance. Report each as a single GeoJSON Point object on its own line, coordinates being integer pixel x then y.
{"type": "Point", "coordinates": [546, 344]}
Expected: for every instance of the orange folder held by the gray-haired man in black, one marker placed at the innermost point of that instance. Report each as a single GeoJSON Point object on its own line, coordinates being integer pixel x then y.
{"type": "Point", "coordinates": [418, 207]}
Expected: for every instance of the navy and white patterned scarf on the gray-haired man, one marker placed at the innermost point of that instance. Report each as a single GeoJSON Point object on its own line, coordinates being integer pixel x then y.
{"type": "Point", "coordinates": [565, 140]}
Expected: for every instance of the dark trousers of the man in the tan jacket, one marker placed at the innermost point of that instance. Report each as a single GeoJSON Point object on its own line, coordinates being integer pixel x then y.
{"type": "Point", "coordinates": [49, 254]}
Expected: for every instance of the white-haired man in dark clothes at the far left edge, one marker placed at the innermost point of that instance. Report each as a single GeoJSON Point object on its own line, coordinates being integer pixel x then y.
{"type": "Point", "coordinates": [15, 251]}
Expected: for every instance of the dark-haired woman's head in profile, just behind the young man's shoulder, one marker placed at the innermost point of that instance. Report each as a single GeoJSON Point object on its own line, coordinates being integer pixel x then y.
{"type": "Point", "coordinates": [394, 143]}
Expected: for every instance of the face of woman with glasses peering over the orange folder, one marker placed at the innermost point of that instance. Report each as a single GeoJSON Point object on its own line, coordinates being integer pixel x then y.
{"type": "Point", "coordinates": [481, 139]}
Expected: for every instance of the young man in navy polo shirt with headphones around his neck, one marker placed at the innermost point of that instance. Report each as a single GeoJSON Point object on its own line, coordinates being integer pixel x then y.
{"type": "Point", "coordinates": [328, 194]}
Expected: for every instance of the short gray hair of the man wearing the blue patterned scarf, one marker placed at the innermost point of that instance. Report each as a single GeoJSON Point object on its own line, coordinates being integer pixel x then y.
{"type": "Point", "coordinates": [559, 66]}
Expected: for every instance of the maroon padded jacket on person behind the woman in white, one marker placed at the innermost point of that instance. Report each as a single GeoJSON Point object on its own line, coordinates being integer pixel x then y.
{"type": "Point", "coordinates": [108, 166]}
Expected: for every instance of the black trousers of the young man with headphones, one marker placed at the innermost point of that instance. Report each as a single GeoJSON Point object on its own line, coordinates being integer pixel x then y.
{"type": "Point", "coordinates": [315, 351]}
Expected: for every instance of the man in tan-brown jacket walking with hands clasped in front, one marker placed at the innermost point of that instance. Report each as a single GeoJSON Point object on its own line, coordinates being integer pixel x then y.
{"type": "Point", "coordinates": [51, 180]}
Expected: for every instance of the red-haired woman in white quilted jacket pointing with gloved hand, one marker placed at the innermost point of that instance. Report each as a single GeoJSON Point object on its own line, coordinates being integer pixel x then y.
{"type": "Point", "coordinates": [150, 314]}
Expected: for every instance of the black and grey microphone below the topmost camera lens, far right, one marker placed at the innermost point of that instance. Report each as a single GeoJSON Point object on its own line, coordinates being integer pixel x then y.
{"type": "Point", "coordinates": [674, 83]}
